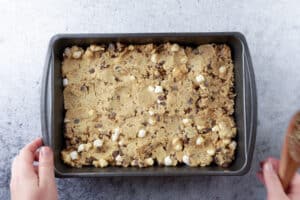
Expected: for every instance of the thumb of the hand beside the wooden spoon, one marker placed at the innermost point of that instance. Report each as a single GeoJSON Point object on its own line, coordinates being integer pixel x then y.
{"type": "Point", "coordinates": [272, 182]}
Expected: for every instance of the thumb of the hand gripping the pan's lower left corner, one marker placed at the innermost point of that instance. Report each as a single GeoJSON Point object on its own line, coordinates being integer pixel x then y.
{"type": "Point", "coordinates": [46, 169]}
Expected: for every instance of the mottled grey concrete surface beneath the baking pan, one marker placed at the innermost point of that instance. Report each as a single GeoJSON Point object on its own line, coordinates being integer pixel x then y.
{"type": "Point", "coordinates": [272, 30]}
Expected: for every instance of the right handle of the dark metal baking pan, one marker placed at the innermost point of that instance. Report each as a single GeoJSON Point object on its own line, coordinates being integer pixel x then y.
{"type": "Point", "coordinates": [252, 120]}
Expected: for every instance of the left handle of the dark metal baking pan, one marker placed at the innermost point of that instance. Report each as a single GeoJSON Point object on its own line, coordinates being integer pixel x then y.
{"type": "Point", "coordinates": [44, 99]}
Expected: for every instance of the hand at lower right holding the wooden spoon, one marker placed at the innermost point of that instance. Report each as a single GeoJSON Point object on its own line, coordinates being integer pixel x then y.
{"type": "Point", "coordinates": [268, 175]}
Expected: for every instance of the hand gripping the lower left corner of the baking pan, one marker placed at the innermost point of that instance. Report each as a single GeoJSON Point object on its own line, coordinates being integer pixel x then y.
{"type": "Point", "coordinates": [29, 182]}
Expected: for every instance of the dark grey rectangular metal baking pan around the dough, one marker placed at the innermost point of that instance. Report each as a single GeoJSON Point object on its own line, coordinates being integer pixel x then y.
{"type": "Point", "coordinates": [52, 104]}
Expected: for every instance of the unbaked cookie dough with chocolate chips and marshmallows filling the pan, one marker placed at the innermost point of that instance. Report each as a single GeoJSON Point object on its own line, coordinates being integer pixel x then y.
{"type": "Point", "coordinates": [145, 105]}
